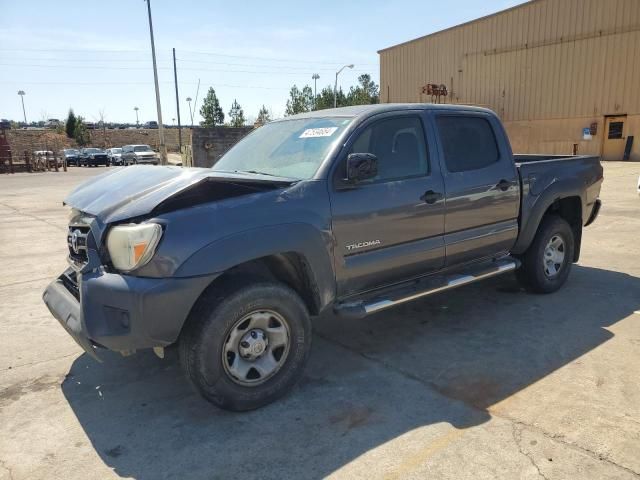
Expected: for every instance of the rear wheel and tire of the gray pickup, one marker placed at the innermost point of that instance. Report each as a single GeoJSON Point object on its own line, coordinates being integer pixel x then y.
{"type": "Point", "coordinates": [547, 262]}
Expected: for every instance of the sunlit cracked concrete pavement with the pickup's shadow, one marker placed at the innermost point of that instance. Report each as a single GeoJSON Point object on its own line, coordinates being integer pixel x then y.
{"type": "Point", "coordinates": [486, 381]}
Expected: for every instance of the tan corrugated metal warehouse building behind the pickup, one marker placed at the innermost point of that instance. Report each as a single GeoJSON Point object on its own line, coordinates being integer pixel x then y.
{"type": "Point", "coordinates": [564, 75]}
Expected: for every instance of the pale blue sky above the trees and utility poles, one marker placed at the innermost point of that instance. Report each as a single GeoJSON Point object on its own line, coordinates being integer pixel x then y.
{"type": "Point", "coordinates": [95, 55]}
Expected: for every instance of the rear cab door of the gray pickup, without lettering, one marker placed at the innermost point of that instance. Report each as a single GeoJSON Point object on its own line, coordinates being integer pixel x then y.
{"type": "Point", "coordinates": [481, 182]}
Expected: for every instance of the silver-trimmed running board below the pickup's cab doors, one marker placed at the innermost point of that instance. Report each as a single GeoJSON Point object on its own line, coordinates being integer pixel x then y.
{"type": "Point", "coordinates": [421, 288]}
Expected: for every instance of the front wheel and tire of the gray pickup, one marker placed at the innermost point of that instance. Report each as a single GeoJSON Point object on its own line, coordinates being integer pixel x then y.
{"type": "Point", "coordinates": [211, 344]}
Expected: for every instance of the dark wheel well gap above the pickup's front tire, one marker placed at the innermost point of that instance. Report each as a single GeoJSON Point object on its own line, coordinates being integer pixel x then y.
{"type": "Point", "coordinates": [289, 268]}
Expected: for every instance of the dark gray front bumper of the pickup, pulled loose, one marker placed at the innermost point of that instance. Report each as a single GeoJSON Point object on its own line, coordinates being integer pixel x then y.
{"type": "Point", "coordinates": [121, 312]}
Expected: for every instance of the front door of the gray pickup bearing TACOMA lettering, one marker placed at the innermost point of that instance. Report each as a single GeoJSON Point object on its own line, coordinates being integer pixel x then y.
{"type": "Point", "coordinates": [390, 228]}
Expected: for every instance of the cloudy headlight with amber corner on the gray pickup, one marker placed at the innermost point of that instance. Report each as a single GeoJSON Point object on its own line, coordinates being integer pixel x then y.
{"type": "Point", "coordinates": [132, 246]}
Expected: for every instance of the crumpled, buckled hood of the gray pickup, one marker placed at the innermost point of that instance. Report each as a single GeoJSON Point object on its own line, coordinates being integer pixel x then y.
{"type": "Point", "coordinates": [135, 191]}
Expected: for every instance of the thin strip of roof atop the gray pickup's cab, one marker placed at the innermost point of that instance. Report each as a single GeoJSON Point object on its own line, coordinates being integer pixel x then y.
{"type": "Point", "coordinates": [366, 110]}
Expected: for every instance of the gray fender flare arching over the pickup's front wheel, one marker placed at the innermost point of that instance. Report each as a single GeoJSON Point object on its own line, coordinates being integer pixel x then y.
{"type": "Point", "coordinates": [314, 245]}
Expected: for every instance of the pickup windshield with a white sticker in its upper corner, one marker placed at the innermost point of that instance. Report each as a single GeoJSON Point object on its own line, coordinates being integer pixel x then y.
{"type": "Point", "coordinates": [290, 148]}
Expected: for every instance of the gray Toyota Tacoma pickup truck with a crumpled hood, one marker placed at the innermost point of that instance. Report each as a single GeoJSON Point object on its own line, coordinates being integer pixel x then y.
{"type": "Point", "coordinates": [353, 210]}
